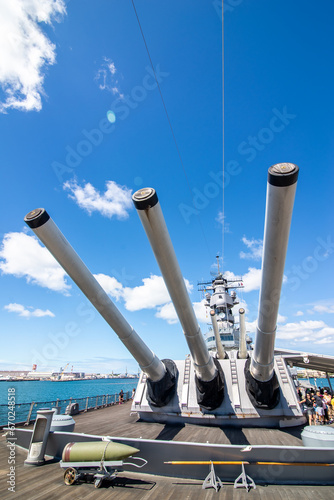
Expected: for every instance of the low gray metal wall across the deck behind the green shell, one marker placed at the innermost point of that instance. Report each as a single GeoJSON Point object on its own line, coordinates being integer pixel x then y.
{"type": "Point", "coordinates": [158, 452]}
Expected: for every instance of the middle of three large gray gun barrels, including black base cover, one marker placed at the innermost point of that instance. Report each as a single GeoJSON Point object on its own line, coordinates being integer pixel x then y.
{"type": "Point", "coordinates": [209, 376]}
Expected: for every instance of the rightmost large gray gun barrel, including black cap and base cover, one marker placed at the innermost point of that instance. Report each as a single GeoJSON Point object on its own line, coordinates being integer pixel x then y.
{"type": "Point", "coordinates": [261, 381]}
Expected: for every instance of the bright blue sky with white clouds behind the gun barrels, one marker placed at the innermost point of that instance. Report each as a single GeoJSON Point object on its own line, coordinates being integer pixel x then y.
{"type": "Point", "coordinates": [83, 126]}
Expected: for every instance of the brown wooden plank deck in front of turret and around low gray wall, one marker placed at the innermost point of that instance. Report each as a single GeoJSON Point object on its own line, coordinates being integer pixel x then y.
{"type": "Point", "coordinates": [46, 482]}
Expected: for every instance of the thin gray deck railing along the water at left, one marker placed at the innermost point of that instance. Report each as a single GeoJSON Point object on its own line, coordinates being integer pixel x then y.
{"type": "Point", "coordinates": [27, 412]}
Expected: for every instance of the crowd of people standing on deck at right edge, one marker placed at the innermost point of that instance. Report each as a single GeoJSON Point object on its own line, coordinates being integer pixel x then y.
{"type": "Point", "coordinates": [318, 406]}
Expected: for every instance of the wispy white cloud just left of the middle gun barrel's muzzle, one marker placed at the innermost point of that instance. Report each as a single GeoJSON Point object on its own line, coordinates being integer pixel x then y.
{"type": "Point", "coordinates": [115, 201]}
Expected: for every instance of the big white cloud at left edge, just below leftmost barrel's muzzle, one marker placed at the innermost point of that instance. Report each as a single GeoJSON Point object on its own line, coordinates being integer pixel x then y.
{"type": "Point", "coordinates": [23, 256]}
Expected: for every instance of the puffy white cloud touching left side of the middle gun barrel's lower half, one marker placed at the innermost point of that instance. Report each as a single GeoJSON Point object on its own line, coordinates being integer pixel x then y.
{"type": "Point", "coordinates": [151, 294]}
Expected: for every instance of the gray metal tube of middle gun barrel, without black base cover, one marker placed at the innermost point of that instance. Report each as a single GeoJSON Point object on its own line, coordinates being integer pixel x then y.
{"type": "Point", "coordinates": [156, 230]}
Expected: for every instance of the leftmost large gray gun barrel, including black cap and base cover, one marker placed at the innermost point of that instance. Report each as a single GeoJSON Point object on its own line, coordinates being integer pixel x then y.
{"type": "Point", "coordinates": [50, 235]}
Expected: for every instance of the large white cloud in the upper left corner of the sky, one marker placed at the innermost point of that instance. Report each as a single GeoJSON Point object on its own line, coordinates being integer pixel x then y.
{"type": "Point", "coordinates": [25, 51]}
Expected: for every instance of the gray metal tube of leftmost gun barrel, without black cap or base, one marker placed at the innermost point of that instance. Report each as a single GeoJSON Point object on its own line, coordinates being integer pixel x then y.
{"type": "Point", "coordinates": [59, 247]}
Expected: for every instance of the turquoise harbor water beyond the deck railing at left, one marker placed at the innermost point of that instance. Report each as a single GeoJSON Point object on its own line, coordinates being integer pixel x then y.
{"type": "Point", "coordinates": [44, 392]}
